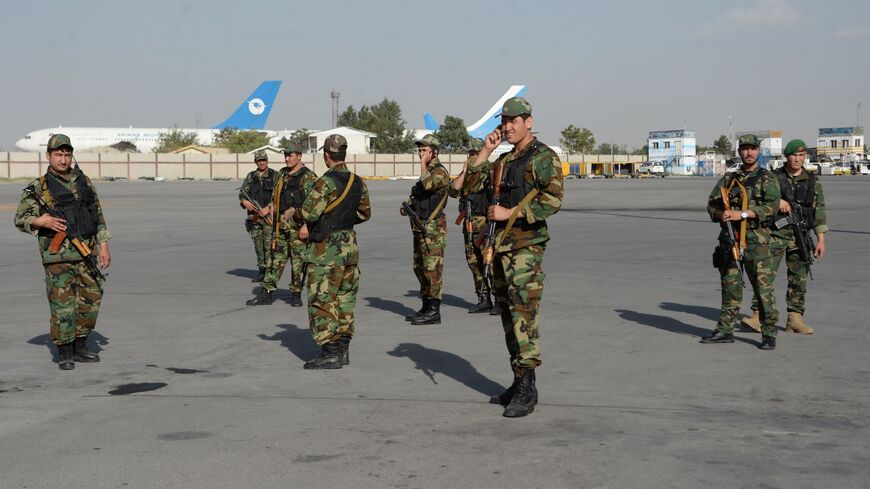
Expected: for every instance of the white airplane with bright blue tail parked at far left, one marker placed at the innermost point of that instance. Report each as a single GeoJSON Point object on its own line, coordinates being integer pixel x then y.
{"type": "Point", "coordinates": [251, 114]}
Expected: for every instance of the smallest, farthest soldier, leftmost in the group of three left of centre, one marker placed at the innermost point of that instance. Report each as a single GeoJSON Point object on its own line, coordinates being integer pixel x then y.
{"type": "Point", "coordinates": [256, 193]}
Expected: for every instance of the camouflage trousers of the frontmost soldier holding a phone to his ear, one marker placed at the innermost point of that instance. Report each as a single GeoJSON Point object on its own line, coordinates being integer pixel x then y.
{"type": "Point", "coordinates": [518, 285]}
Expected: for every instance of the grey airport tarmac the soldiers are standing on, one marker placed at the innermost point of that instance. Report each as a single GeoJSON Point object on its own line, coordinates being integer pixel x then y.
{"type": "Point", "coordinates": [628, 397]}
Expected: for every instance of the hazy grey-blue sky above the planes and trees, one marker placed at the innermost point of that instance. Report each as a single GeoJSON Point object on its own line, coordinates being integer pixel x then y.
{"type": "Point", "coordinates": [619, 68]}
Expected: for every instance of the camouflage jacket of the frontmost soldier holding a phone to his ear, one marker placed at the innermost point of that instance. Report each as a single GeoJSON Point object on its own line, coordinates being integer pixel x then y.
{"type": "Point", "coordinates": [544, 172]}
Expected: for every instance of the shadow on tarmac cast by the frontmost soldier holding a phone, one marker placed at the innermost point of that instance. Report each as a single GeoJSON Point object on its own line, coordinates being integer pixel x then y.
{"type": "Point", "coordinates": [432, 362]}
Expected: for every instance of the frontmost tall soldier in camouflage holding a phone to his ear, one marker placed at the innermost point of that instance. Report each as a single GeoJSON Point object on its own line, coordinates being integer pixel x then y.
{"type": "Point", "coordinates": [530, 191]}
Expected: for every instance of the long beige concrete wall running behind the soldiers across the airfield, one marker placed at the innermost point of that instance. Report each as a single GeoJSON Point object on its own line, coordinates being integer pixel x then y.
{"type": "Point", "coordinates": [235, 166]}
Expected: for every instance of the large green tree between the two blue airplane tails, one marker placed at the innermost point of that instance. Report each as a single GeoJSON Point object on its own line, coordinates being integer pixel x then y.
{"type": "Point", "coordinates": [385, 120]}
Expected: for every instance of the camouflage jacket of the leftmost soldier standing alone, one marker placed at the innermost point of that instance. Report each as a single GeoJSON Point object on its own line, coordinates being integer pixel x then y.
{"type": "Point", "coordinates": [29, 209]}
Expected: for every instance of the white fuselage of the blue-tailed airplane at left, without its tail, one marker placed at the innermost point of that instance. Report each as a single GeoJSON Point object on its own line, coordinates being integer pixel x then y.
{"type": "Point", "coordinates": [86, 138]}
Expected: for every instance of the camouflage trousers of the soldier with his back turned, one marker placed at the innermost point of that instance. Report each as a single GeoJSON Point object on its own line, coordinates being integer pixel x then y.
{"type": "Point", "coordinates": [331, 300]}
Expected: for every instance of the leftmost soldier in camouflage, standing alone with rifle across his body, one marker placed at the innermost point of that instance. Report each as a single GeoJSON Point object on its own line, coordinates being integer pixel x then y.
{"type": "Point", "coordinates": [74, 290]}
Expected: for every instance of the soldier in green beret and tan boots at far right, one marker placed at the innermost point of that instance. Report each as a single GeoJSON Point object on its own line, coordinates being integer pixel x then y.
{"type": "Point", "coordinates": [802, 188]}
